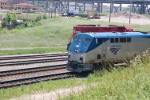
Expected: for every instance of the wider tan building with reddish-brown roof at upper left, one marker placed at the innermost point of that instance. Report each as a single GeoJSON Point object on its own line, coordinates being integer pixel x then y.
{"type": "Point", "coordinates": [24, 6]}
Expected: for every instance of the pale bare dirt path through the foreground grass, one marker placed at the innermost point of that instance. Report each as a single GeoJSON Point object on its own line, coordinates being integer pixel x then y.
{"type": "Point", "coordinates": [52, 95]}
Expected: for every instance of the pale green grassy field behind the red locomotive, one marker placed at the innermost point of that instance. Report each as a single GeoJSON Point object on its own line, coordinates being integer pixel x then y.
{"type": "Point", "coordinates": [52, 32]}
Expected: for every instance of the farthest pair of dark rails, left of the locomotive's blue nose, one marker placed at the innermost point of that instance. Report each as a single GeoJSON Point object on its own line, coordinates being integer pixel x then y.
{"type": "Point", "coordinates": [31, 59]}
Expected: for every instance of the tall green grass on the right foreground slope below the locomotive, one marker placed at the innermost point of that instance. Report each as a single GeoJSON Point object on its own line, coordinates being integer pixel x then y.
{"type": "Point", "coordinates": [127, 84]}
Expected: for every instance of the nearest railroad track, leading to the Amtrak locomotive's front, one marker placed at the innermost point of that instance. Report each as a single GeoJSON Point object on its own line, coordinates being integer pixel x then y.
{"type": "Point", "coordinates": [31, 80]}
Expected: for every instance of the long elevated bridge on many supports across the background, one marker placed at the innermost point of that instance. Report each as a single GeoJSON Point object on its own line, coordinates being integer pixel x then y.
{"type": "Point", "coordinates": [137, 6]}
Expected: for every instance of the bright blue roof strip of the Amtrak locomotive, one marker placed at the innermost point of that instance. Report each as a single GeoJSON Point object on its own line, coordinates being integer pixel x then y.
{"type": "Point", "coordinates": [116, 34]}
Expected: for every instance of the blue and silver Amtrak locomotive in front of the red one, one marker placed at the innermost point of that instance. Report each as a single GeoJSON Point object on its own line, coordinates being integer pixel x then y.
{"type": "Point", "coordinates": [89, 49]}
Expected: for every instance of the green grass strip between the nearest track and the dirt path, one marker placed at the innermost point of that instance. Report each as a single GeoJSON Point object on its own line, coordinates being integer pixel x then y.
{"type": "Point", "coordinates": [41, 87]}
